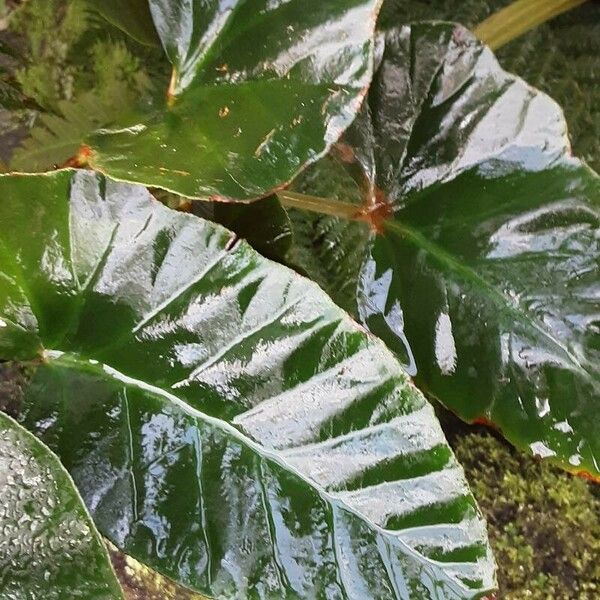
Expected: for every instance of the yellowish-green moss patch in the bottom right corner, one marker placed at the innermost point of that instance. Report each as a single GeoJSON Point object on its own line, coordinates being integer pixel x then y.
{"type": "Point", "coordinates": [544, 524]}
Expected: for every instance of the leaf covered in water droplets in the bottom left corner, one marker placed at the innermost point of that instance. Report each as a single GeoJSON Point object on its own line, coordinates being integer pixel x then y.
{"type": "Point", "coordinates": [49, 547]}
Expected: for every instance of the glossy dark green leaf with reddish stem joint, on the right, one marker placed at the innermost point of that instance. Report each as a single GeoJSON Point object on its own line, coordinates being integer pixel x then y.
{"type": "Point", "coordinates": [485, 275]}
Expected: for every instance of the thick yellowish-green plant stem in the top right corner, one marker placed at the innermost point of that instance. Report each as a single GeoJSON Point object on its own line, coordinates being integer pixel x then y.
{"type": "Point", "coordinates": [518, 18]}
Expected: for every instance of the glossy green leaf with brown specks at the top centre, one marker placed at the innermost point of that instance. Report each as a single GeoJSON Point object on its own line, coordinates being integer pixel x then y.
{"type": "Point", "coordinates": [259, 90]}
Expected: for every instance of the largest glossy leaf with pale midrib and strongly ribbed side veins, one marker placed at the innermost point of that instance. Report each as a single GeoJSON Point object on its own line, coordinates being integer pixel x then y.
{"type": "Point", "coordinates": [225, 422]}
